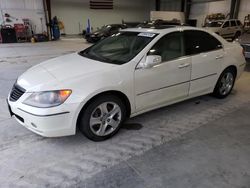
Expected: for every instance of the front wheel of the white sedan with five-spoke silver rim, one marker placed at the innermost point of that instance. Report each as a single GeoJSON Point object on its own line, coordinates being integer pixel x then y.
{"type": "Point", "coordinates": [102, 118]}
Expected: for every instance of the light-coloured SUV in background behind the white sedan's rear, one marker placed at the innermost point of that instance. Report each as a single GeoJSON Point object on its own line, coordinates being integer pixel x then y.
{"type": "Point", "coordinates": [226, 28]}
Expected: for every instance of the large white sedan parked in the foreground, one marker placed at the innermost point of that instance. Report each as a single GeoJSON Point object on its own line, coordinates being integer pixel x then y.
{"type": "Point", "coordinates": [129, 73]}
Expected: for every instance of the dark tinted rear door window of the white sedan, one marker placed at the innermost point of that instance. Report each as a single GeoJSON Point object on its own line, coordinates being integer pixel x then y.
{"type": "Point", "coordinates": [198, 41]}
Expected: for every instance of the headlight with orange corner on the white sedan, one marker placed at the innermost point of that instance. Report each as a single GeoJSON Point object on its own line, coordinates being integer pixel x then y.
{"type": "Point", "coordinates": [47, 99]}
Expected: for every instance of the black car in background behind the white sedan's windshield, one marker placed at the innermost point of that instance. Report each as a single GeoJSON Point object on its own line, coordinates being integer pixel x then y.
{"type": "Point", "coordinates": [104, 32]}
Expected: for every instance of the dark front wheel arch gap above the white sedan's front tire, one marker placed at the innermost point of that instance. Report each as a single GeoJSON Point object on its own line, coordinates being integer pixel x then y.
{"type": "Point", "coordinates": [119, 94]}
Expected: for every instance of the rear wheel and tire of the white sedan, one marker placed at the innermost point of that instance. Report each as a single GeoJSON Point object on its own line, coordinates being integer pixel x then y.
{"type": "Point", "coordinates": [225, 83]}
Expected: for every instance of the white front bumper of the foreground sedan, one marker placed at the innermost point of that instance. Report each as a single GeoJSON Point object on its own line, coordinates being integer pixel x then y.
{"type": "Point", "coordinates": [50, 122]}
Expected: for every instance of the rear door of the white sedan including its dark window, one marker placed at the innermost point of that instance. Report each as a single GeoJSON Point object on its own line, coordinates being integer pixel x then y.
{"type": "Point", "coordinates": [207, 56]}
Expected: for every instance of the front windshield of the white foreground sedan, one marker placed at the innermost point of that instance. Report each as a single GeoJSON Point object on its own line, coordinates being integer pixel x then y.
{"type": "Point", "coordinates": [119, 48]}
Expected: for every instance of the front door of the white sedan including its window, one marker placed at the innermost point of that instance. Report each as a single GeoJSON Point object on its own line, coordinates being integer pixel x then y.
{"type": "Point", "coordinates": [168, 81]}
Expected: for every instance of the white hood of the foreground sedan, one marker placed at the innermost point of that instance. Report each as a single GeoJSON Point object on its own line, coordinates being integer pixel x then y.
{"type": "Point", "coordinates": [61, 69]}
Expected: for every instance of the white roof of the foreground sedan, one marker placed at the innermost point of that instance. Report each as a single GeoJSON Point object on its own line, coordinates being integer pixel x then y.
{"type": "Point", "coordinates": [162, 30]}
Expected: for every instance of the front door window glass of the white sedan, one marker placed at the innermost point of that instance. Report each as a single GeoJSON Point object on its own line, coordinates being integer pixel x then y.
{"type": "Point", "coordinates": [169, 47]}
